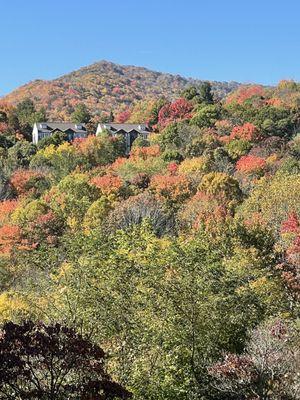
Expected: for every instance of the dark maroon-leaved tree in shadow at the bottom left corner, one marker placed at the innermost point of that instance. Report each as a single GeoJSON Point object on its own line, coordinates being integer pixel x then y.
{"type": "Point", "coordinates": [41, 362]}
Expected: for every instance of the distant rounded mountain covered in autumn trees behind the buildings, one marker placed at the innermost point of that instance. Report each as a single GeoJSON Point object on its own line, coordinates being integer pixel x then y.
{"type": "Point", "coordinates": [105, 86]}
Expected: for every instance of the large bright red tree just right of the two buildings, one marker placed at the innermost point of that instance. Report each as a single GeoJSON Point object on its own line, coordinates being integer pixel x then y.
{"type": "Point", "coordinates": [178, 110]}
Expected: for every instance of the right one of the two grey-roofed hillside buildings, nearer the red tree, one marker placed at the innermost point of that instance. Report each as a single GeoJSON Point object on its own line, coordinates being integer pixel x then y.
{"type": "Point", "coordinates": [129, 131]}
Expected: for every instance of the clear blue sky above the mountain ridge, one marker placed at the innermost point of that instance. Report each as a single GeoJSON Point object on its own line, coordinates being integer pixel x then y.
{"type": "Point", "coordinates": [245, 40]}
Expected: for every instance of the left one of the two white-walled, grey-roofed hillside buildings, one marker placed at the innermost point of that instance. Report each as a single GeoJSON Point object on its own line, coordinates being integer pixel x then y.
{"type": "Point", "coordinates": [72, 131]}
